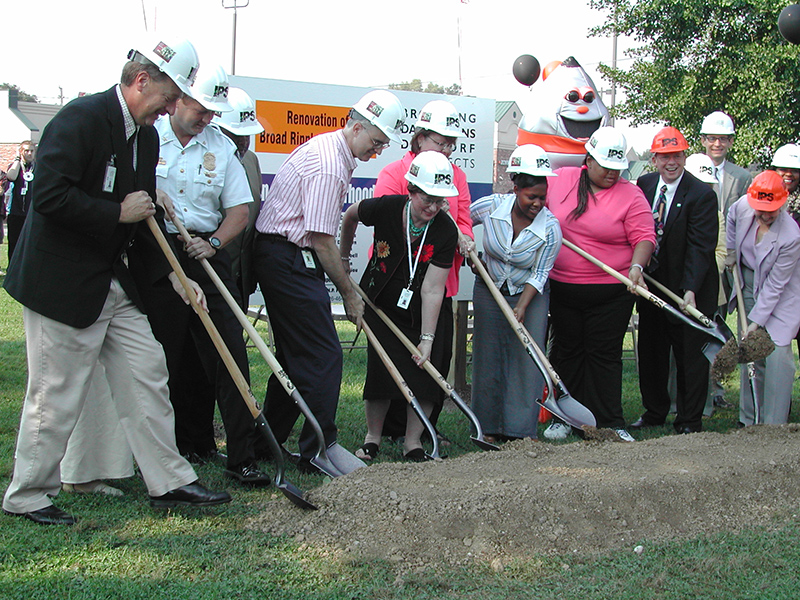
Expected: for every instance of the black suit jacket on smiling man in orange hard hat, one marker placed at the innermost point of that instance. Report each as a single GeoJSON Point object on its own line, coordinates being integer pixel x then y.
{"type": "Point", "coordinates": [685, 259]}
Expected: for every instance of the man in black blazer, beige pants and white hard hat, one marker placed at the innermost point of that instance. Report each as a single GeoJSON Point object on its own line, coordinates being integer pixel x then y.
{"type": "Point", "coordinates": [82, 253]}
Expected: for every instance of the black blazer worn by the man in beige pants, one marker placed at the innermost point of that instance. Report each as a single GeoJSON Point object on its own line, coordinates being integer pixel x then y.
{"type": "Point", "coordinates": [72, 243]}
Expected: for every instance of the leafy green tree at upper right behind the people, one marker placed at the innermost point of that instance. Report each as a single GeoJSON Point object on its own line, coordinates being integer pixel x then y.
{"type": "Point", "coordinates": [698, 56]}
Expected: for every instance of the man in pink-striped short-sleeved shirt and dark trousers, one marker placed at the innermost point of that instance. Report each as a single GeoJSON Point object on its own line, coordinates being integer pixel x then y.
{"type": "Point", "coordinates": [296, 247]}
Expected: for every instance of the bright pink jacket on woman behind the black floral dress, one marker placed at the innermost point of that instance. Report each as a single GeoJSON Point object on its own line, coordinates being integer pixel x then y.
{"type": "Point", "coordinates": [392, 180]}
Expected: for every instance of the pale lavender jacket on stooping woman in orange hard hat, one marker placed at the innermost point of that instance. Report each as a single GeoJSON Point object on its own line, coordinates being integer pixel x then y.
{"type": "Point", "coordinates": [776, 279]}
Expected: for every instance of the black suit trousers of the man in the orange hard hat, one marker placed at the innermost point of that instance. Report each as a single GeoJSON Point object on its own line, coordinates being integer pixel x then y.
{"type": "Point", "coordinates": [658, 333]}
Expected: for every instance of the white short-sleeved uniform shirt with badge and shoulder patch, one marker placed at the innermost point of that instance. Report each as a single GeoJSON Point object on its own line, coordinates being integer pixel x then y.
{"type": "Point", "coordinates": [200, 178]}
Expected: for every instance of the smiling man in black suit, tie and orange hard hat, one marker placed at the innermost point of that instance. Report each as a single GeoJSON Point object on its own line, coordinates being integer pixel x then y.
{"type": "Point", "coordinates": [685, 213]}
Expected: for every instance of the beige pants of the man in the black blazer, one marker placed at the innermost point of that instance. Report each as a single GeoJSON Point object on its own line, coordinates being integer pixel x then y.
{"type": "Point", "coordinates": [61, 360]}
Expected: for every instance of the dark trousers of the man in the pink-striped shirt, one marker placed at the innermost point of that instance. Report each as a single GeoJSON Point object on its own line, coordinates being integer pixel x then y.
{"type": "Point", "coordinates": [307, 345]}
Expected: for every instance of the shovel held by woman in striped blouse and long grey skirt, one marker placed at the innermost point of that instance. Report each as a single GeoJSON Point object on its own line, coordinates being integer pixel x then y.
{"type": "Point", "coordinates": [565, 407]}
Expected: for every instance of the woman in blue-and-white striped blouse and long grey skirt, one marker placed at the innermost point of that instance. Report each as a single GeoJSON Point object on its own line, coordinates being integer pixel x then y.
{"type": "Point", "coordinates": [521, 239]}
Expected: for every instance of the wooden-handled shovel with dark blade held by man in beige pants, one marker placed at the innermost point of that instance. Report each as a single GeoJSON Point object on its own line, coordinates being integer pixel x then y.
{"type": "Point", "coordinates": [289, 490]}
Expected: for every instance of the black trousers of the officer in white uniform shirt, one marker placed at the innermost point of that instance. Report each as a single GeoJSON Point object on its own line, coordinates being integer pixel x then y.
{"type": "Point", "coordinates": [198, 379]}
